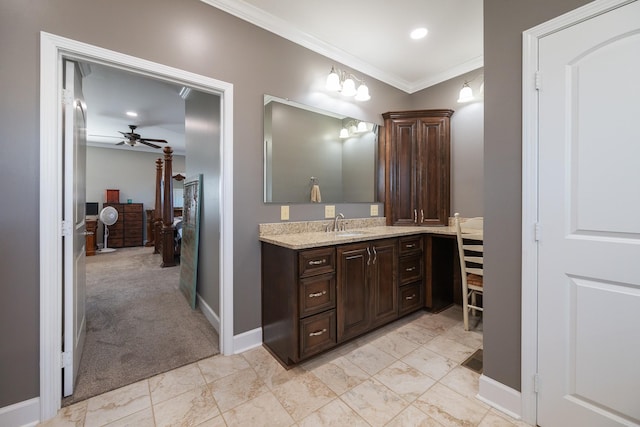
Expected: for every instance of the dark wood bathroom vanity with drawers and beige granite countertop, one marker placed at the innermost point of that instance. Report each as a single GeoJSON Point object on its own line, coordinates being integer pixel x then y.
{"type": "Point", "coordinates": [321, 289]}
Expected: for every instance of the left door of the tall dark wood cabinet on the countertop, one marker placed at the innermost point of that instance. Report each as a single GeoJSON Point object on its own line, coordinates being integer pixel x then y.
{"type": "Point", "coordinates": [404, 172]}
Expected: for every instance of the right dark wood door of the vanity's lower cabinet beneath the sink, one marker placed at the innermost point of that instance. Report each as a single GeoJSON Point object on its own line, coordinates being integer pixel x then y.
{"type": "Point", "coordinates": [383, 280]}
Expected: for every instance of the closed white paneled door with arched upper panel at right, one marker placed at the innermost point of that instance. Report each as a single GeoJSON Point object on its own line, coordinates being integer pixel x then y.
{"type": "Point", "coordinates": [589, 215]}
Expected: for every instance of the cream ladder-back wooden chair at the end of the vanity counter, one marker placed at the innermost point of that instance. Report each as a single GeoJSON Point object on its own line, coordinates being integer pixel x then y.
{"type": "Point", "coordinates": [470, 250]}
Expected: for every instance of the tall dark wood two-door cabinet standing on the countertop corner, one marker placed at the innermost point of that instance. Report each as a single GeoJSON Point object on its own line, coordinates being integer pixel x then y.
{"type": "Point", "coordinates": [417, 167]}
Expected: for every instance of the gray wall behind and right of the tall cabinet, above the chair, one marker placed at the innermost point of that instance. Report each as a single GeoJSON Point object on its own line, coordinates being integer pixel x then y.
{"type": "Point", "coordinates": [467, 139]}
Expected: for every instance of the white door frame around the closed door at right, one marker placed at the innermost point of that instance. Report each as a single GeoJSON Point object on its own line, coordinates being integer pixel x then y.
{"type": "Point", "coordinates": [530, 194]}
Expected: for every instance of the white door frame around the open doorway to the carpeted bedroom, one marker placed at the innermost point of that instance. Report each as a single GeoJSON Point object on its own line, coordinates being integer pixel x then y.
{"type": "Point", "coordinates": [52, 49]}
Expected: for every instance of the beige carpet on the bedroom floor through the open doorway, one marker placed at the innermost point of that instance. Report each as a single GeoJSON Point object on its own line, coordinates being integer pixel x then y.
{"type": "Point", "coordinates": [138, 323]}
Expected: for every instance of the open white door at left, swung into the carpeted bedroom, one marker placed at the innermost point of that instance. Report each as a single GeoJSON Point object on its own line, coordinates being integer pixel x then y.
{"type": "Point", "coordinates": [74, 228]}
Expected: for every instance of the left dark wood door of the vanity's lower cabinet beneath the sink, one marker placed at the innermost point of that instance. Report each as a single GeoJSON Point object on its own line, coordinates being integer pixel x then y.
{"type": "Point", "coordinates": [354, 305]}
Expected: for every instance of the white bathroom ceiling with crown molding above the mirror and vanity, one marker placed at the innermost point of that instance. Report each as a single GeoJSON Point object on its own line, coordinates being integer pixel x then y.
{"type": "Point", "coordinates": [372, 36]}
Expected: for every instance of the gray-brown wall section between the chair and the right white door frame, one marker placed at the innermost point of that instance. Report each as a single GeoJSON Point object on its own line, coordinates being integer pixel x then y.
{"type": "Point", "coordinates": [504, 22]}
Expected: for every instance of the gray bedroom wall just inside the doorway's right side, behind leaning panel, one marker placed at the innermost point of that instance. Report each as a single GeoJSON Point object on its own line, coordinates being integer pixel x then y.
{"type": "Point", "coordinates": [202, 138]}
